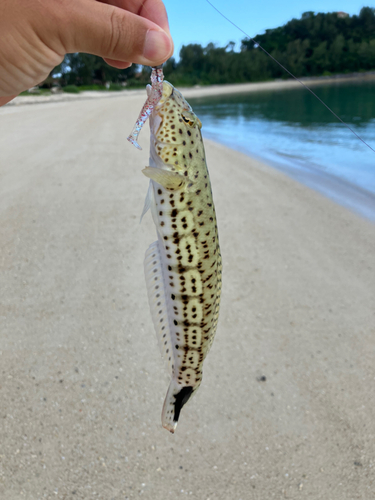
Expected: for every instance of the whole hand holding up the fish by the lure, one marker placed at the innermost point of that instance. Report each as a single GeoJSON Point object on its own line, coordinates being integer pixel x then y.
{"type": "Point", "coordinates": [36, 34]}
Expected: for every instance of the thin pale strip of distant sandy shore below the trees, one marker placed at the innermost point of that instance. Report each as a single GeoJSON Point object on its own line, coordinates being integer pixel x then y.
{"type": "Point", "coordinates": [199, 91]}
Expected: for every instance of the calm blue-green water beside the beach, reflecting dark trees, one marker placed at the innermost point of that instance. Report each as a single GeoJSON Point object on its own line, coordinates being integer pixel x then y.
{"type": "Point", "coordinates": [292, 131]}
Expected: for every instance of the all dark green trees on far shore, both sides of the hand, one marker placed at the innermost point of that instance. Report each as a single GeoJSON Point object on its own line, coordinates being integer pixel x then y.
{"type": "Point", "coordinates": [316, 44]}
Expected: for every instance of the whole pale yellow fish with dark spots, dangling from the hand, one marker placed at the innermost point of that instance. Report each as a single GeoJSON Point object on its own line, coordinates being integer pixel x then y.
{"type": "Point", "coordinates": [183, 267]}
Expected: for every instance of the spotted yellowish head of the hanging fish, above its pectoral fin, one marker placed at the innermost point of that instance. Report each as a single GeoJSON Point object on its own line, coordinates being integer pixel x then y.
{"type": "Point", "coordinates": [175, 130]}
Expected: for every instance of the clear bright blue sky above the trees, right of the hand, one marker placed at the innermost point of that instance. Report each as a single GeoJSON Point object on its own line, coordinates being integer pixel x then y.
{"type": "Point", "coordinates": [195, 21]}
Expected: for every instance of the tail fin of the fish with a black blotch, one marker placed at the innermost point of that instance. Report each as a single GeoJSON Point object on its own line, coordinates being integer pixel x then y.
{"type": "Point", "coordinates": [175, 399]}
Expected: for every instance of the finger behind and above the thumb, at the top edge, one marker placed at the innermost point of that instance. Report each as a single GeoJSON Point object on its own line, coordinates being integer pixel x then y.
{"type": "Point", "coordinates": [154, 10]}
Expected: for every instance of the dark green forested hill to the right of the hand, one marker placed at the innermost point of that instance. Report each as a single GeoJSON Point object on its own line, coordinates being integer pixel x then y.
{"type": "Point", "coordinates": [316, 44]}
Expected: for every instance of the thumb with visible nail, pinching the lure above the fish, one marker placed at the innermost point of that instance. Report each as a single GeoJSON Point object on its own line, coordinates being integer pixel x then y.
{"type": "Point", "coordinates": [114, 33]}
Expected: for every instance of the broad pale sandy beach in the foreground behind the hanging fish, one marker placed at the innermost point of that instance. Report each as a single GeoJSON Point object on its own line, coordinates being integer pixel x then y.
{"type": "Point", "coordinates": [286, 408]}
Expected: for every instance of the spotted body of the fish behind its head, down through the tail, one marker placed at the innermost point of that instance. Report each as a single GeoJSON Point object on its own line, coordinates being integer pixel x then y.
{"type": "Point", "coordinates": [183, 275]}
